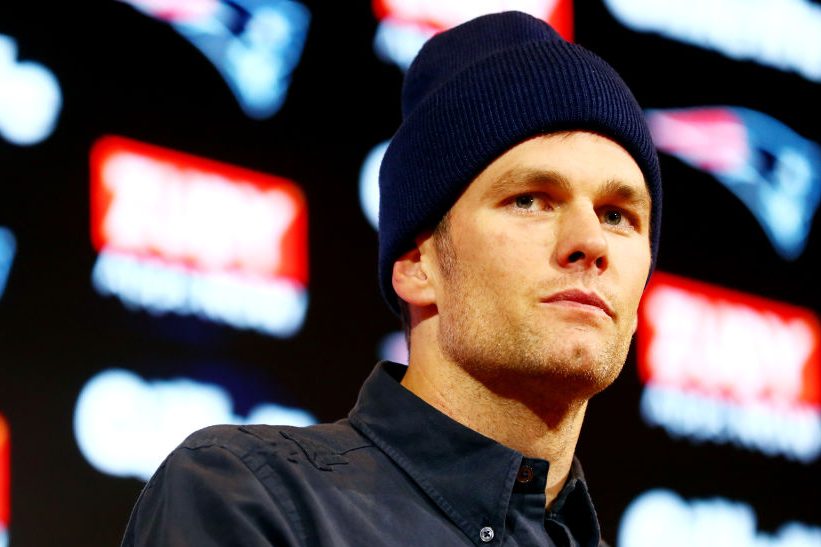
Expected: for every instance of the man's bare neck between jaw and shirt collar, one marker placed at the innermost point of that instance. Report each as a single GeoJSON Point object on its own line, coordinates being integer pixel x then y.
{"type": "Point", "coordinates": [538, 427]}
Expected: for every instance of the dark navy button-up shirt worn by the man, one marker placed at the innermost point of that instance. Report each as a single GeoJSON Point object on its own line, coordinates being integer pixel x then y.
{"type": "Point", "coordinates": [395, 472]}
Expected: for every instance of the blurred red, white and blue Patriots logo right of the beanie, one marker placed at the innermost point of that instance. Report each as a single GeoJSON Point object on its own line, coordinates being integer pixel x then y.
{"type": "Point", "coordinates": [772, 169]}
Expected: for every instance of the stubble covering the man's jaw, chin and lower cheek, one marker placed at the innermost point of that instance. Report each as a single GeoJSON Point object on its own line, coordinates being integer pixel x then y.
{"type": "Point", "coordinates": [513, 353]}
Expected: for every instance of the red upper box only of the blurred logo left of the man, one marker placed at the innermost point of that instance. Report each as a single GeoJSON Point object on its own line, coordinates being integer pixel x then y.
{"type": "Point", "coordinates": [157, 203]}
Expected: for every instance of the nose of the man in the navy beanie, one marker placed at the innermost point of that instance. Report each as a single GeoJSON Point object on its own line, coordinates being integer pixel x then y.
{"type": "Point", "coordinates": [581, 242]}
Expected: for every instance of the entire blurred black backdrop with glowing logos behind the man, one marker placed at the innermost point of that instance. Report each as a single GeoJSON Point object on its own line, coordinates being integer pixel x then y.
{"type": "Point", "coordinates": [187, 236]}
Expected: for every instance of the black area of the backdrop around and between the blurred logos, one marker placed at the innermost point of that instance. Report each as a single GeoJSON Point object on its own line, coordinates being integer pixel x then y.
{"type": "Point", "coordinates": [126, 74]}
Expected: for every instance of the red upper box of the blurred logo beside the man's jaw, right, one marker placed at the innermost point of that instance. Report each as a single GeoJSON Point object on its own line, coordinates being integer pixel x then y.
{"type": "Point", "coordinates": [725, 344]}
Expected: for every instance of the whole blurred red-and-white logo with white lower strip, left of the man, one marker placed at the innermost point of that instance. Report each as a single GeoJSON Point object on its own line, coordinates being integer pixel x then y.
{"type": "Point", "coordinates": [178, 233]}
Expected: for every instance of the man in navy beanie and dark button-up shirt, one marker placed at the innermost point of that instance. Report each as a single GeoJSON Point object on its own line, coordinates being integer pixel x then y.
{"type": "Point", "coordinates": [520, 204]}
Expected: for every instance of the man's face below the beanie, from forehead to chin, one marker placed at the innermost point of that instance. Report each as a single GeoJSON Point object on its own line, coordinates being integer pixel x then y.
{"type": "Point", "coordinates": [542, 265]}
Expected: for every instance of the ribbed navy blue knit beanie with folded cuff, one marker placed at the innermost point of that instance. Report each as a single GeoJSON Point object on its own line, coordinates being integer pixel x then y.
{"type": "Point", "coordinates": [475, 91]}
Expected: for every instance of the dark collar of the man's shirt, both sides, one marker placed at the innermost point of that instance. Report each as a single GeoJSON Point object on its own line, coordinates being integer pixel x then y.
{"type": "Point", "coordinates": [423, 441]}
